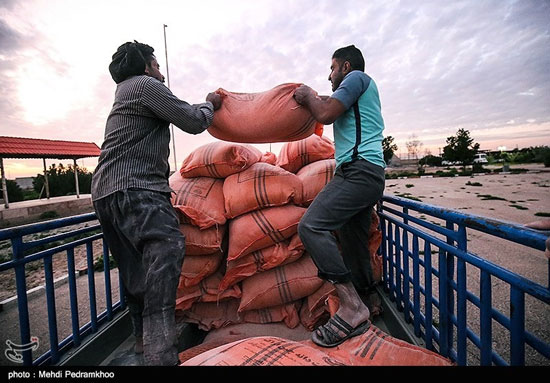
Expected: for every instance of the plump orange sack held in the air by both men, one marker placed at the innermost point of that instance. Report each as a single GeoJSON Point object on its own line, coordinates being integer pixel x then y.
{"type": "Point", "coordinates": [271, 116]}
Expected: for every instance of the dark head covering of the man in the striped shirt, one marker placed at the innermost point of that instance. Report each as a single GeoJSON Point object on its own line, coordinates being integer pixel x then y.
{"type": "Point", "coordinates": [130, 59]}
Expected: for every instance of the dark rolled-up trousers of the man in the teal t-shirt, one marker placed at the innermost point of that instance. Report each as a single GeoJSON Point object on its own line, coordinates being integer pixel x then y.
{"type": "Point", "coordinates": [344, 206]}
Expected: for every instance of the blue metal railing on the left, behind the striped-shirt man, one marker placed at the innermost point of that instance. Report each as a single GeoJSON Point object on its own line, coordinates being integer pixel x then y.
{"type": "Point", "coordinates": [22, 255]}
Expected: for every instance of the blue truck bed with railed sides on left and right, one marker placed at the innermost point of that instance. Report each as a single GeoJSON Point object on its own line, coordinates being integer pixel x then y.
{"type": "Point", "coordinates": [435, 292]}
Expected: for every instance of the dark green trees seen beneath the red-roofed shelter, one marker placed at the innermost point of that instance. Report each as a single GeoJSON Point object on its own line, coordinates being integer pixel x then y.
{"type": "Point", "coordinates": [61, 180]}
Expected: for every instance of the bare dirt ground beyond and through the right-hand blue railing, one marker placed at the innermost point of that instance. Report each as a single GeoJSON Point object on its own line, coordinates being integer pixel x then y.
{"type": "Point", "coordinates": [515, 198]}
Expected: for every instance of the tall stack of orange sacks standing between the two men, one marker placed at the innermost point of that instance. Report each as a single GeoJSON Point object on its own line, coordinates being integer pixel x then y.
{"type": "Point", "coordinates": [240, 212]}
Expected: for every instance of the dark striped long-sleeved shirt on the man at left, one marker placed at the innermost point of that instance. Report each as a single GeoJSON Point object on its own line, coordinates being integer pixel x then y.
{"type": "Point", "coordinates": [135, 150]}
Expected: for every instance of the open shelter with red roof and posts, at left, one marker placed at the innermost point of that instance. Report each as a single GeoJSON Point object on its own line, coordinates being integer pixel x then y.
{"type": "Point", "coordinates": [18, 147]}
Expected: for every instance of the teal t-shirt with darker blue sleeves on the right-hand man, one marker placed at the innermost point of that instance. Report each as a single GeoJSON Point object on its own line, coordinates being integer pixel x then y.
{"type": "Point", "coordinates": [358, 86]}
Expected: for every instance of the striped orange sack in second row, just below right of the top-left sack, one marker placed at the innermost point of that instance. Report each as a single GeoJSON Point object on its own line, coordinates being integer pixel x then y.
{"type": "Point", "coordinates": [261, 185]}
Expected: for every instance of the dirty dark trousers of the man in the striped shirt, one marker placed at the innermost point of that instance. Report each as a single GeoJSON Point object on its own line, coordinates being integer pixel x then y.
{"type": "Point", "coordinates": [142, 232]}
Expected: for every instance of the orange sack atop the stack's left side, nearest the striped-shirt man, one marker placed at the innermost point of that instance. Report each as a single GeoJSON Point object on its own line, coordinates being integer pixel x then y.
{"type": "Point", "coordinates": [219, 160]}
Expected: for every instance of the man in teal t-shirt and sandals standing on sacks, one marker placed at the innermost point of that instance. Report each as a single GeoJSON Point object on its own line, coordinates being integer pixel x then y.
{"type": "Point", "coordinates": [345, 204]}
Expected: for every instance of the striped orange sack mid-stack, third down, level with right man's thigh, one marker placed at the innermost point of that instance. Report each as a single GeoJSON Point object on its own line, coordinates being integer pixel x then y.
{"type": "Point", "coordinates": [262, 228]}
